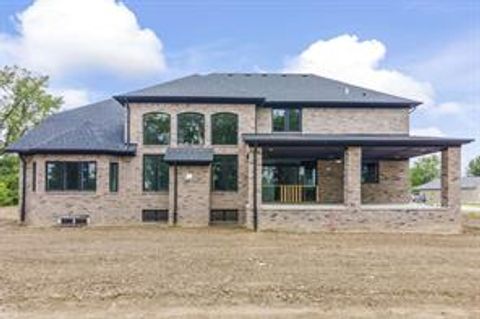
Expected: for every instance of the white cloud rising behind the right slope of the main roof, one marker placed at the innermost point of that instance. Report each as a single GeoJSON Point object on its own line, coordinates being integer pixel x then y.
{"type": "Point", "coordinates": [348, 59]}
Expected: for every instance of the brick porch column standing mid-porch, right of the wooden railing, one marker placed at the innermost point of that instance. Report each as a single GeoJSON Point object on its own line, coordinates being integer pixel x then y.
{"type": "Point", "coordinates": [352, 177]}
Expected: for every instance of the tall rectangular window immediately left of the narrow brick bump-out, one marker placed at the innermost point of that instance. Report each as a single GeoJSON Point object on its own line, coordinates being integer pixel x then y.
{"type": "Point", "coordinates": [155, 173]}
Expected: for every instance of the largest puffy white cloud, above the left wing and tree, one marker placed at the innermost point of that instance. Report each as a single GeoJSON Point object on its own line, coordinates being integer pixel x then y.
{"type": "Point", "coordinates": [62, 36]}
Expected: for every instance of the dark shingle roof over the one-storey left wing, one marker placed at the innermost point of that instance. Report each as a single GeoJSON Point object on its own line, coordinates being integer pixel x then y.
{"type": "Point", "coordinates": [94, 128]}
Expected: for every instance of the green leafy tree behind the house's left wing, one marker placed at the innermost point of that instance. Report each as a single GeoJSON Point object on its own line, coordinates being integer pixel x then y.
{"type": "Point", "coordinates": [24, 102]}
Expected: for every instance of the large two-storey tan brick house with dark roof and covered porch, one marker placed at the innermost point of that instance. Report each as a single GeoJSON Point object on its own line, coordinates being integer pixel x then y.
{"type": "Point", "coordinates": [265, 151]}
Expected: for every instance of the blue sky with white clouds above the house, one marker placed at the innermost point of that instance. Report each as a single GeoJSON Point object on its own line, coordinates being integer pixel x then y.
{"type": "Point", "coordinates": [93, 49]}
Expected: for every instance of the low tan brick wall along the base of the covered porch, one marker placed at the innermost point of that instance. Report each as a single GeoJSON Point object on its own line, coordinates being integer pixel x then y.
{"type": "Point", "coordinates": [309, 218]}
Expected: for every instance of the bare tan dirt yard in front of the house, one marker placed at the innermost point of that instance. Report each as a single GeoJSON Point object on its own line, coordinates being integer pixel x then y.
{"type": "Point", "coordinates": [156, 272]}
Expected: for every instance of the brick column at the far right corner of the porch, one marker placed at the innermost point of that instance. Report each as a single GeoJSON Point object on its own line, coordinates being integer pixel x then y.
{"type": "Point", "coordinates": [451, 171]}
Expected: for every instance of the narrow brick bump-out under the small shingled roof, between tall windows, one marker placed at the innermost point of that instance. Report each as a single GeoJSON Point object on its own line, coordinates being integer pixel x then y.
{"type": "Point", "coordinates": [193, 197]}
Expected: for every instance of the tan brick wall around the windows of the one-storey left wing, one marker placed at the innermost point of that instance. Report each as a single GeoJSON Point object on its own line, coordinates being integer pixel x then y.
{"type": "Point", "coordinates": [44, 208]}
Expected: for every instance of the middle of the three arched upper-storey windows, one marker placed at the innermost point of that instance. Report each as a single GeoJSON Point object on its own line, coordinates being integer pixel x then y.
{"type": "Point", "coordinates": [191, 128]}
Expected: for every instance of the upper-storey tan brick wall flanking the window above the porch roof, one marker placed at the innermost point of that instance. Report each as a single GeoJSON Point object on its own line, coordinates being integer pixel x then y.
{"type": "Point", "coordinates": [344, 120]}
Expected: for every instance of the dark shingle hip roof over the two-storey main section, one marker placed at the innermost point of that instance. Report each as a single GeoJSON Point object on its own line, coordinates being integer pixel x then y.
{"type": "Point", "coordinates": [271, 88]}
